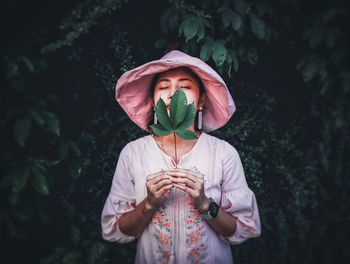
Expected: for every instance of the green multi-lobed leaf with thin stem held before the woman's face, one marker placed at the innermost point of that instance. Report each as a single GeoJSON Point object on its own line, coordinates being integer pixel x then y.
{"type": "Point", "coordinates": [181, 116]}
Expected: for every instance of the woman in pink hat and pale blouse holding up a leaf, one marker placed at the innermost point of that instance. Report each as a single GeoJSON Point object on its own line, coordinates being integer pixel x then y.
{"type": "Point", "coordinates": [184, 210]}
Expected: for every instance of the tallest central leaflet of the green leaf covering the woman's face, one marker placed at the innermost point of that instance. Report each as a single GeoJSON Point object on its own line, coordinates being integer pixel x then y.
{"type": "Point", "coordinates": [178, 108]}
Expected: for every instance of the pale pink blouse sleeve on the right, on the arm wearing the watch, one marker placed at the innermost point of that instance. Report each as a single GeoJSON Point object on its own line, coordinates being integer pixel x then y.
{"type": "Point", "coordinates": [237, 199]}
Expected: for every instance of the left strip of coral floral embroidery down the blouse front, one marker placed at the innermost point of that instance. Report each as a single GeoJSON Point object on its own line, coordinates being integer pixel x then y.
{"type": "Point", "coordinates": [162, 227]}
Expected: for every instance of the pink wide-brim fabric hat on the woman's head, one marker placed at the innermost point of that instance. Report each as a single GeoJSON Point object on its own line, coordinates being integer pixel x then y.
{"type": "Point", "coordinates": [132, 90]}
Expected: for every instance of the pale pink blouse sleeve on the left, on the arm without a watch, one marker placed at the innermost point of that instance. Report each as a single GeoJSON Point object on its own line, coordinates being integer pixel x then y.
{"type": "Point", "coordinates": [120, 200]}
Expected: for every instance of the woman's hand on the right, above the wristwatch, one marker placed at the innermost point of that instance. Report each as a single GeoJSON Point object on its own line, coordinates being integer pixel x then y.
{"type": "Point", "coordinates": [192, 183]}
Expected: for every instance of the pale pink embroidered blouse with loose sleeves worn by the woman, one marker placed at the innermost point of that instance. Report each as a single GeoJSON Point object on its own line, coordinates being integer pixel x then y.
{"type": "Point", "coordinates": [176, 233]}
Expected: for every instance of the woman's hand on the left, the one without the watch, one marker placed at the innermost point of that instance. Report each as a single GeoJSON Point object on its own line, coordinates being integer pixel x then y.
{"type": "Point", "coordinates": [157, 184]}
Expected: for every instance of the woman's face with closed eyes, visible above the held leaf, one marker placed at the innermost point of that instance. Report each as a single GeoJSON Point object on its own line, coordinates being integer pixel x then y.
{"type": "Point", "coordinates": [172, 80]}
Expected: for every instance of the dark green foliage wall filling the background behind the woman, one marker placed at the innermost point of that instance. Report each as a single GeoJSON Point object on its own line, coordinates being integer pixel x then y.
{"type": "Point", "coordinates": [287, 66]}
